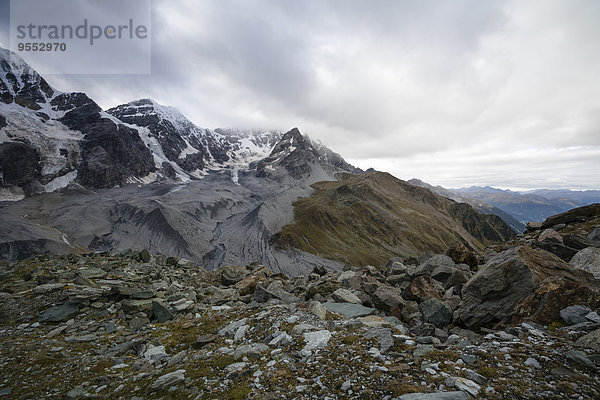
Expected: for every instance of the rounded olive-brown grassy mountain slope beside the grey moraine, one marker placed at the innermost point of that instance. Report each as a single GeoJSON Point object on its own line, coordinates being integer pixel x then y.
{"type": "Point", "coordinates": [369, 218]}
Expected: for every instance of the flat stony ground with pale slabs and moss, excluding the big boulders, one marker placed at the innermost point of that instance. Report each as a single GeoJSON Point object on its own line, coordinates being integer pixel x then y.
{"type": "Point", "coordinates": [133, 326]}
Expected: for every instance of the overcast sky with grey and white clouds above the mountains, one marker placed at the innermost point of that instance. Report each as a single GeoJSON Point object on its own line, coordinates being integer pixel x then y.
{"type": "Point", "coordinates": [456, 93]}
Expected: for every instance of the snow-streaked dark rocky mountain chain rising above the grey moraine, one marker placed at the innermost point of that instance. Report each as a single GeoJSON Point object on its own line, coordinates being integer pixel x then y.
{"type": "Point", "coordinates": [50, 139]}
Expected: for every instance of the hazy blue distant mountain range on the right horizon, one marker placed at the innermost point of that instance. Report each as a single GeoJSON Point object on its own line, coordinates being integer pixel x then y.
{"type": "Point", "coordinates": [517, 208]}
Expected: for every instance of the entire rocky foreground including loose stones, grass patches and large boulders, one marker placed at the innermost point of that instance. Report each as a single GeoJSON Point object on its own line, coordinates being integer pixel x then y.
{"type": "Point", "coordinates": [514, 321]}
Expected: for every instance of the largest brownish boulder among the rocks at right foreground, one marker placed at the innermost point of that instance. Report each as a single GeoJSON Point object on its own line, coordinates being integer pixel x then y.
{"type": "Point", "coordinates": [495, 293]}
